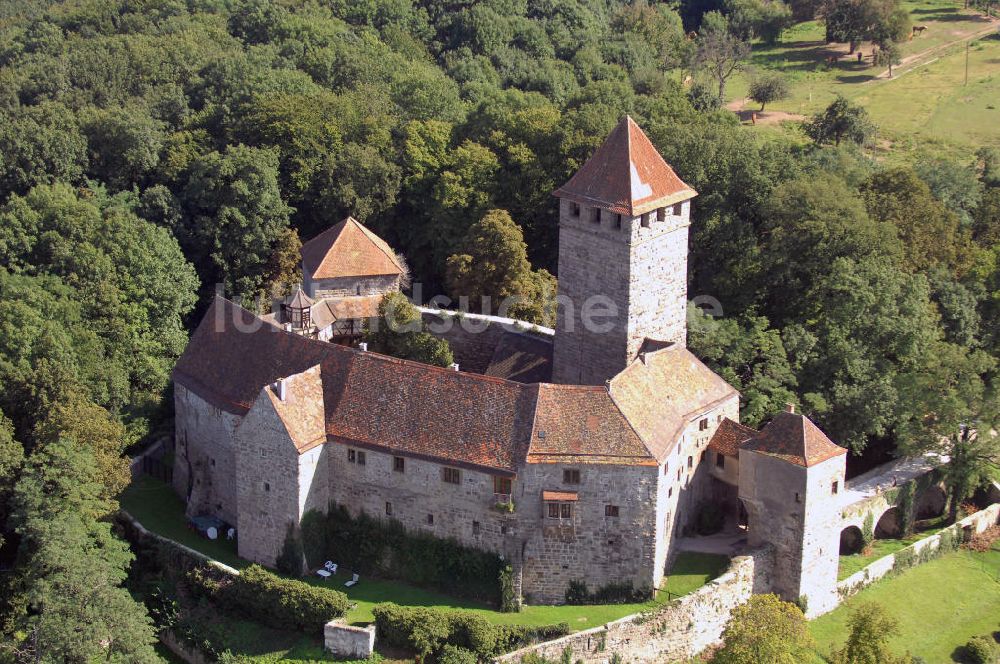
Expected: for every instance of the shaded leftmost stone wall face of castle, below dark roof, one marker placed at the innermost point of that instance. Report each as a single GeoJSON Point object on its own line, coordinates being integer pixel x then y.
{"type": "Point", "coordinates": [204, 461]}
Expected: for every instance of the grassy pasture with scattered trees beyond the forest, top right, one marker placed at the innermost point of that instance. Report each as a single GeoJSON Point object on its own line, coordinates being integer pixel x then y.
{"type": "Point", "coordinates": [925, 107]}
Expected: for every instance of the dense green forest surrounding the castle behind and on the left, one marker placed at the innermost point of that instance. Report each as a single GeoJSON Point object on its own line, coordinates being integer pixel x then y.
{"type": "Point", "coordinates": [153, 151]}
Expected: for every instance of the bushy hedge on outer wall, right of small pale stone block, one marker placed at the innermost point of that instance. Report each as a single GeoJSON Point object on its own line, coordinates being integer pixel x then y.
{"type": "Point", "coordinates": [427, 631]}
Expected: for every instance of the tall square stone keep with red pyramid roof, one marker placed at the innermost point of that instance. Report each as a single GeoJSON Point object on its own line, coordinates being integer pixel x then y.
{"type": "Point", "coordinates": [623, 232]}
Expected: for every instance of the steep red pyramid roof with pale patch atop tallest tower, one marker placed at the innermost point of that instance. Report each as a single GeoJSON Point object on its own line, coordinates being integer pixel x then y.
{"type": "Point", "coordinates": [626, 175]}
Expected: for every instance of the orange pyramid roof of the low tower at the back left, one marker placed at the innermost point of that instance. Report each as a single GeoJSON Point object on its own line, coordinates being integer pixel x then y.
{"type": "Point", "coordinates": [348, 250]}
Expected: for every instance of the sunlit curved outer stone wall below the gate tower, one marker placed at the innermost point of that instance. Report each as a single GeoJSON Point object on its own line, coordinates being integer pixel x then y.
{"type": "Point", "coordinates": [675, 632]}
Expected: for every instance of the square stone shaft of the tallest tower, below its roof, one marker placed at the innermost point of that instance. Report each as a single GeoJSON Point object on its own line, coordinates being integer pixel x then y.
{"type": "Point", "coordinates": [639, 272]}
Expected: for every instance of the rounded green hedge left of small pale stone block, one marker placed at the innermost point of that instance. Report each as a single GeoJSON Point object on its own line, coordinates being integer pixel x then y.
{"type": "Point", "coordinates": [269, 599]}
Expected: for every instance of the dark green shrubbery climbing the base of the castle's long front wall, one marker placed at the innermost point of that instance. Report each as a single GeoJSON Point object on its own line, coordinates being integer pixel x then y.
{"type": "Point", "coordinates": [384, 548]}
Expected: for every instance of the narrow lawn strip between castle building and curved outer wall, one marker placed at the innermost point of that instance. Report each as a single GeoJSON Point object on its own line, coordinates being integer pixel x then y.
{"type": "Point", "coordinates": [157, 507]}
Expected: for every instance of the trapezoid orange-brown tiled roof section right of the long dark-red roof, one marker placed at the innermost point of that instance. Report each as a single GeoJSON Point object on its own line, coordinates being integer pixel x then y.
{"type": "Point", "coordinates": [582, 422]}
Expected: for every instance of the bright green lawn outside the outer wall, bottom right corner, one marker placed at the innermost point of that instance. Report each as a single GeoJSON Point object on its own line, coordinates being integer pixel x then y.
{"type": "Point", "coordinates": [940, 605]}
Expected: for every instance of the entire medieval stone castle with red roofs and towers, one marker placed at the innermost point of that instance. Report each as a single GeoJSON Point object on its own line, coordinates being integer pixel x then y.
{"type": "Point", "coordinates": [603, 450]}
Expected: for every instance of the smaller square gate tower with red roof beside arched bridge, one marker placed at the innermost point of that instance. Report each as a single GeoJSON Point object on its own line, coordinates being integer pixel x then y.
{"type": "Point", "coordinates": [791, 481]}
